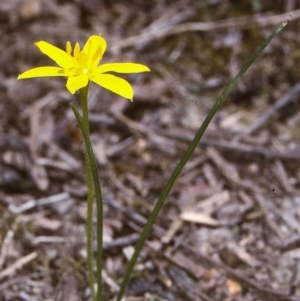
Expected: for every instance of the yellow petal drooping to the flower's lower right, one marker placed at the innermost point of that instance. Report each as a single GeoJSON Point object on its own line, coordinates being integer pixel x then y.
{"type": "Point", "coordinates": [115, 84]}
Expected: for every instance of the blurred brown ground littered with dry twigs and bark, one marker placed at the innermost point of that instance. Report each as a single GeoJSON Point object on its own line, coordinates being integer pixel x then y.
{"type": "Point", "coordinates": [230, 229]}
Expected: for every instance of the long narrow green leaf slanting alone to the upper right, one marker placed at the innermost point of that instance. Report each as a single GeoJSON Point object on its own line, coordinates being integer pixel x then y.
{"type": "Point", "coordinates": [166, 190]}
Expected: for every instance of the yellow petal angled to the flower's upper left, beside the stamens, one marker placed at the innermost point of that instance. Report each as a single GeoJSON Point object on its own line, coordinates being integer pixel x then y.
{"type": "Point", "coordinates": [61, 57]}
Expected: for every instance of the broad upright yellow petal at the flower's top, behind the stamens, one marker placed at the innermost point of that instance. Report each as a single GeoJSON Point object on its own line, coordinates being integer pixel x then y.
{"type": "Point", "coordinates": [94, 49]}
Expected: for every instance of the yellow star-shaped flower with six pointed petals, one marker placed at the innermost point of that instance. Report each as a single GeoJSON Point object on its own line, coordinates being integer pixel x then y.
{"type": "Point", "coordinates": [81, 66]}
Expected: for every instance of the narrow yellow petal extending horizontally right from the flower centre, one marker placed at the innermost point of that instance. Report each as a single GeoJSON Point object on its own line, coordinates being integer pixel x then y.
{"type": "Point", "coordinates": [121, 68]}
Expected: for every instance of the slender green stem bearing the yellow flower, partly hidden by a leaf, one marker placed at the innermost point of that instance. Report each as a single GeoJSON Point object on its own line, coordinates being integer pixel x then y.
{"type": "Point", "coordinates": [89, 185]}
